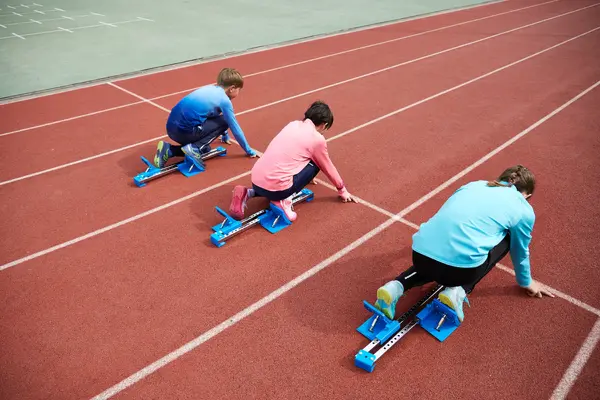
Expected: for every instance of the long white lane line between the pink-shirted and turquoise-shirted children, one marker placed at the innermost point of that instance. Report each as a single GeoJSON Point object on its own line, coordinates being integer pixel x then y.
{"type": "Point", "coordinates": [150, 369]}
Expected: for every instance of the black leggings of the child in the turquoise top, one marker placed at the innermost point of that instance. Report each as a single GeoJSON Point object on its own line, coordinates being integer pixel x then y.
{"type": "Point", "coordinates": [425, 270]}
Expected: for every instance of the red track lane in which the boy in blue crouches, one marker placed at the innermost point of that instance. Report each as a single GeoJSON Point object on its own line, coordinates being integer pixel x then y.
{"type": "Point", "coordinates": [124, 202]}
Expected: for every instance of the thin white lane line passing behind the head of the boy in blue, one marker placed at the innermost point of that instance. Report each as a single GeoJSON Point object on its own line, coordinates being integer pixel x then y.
{"type": "Point", "coordinates": [272, 69]}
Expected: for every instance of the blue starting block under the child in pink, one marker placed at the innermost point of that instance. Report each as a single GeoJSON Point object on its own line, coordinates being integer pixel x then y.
{"type": "Point", "coordinates": [273, 219]}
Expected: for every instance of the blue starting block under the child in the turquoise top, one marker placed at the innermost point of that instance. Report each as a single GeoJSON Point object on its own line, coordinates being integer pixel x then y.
{"type": "Point", "coordinates": [435, 317]}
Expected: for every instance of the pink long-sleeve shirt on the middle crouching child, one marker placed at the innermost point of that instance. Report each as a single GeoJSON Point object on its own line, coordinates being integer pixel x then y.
{"type": "Point", "coordinates": [289, 152]}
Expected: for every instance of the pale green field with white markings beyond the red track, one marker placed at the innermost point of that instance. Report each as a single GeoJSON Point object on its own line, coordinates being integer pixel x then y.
{"type": "Point", "coordinates": [54, 43]}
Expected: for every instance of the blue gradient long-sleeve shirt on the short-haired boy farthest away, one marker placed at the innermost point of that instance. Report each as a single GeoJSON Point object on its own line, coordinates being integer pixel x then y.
{"type": "Point", "coordinates": [207, 102]}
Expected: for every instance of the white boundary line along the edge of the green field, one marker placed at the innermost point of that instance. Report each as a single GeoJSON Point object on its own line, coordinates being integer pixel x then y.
{"type": "Point", "coordinates": [209, 59]}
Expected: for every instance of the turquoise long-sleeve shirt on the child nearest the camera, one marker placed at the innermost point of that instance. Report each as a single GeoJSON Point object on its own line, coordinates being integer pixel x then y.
{"type": "Point", "coordinates": [474, 220]}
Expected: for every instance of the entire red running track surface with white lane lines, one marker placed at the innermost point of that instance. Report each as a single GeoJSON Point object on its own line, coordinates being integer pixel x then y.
{"type": "Point", "coordinates": [83, 313]}
